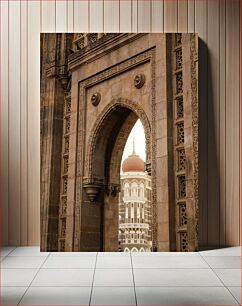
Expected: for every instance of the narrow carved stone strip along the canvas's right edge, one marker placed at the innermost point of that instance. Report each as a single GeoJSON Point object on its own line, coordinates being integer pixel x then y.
{"type": "Point", "coordinates": [190, 81]}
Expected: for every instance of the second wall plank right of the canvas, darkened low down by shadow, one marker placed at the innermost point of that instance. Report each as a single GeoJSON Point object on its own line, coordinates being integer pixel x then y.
{"type": "Point", "coordinates": [213, 123]}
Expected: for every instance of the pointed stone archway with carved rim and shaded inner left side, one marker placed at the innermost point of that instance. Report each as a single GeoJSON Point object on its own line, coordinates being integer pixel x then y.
{"type": "Point", "coordinates": [102, 167]}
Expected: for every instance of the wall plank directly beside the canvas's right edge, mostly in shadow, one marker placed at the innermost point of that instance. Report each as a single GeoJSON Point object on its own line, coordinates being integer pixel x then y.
{"type": "Point", "coordinates": [201, 28]}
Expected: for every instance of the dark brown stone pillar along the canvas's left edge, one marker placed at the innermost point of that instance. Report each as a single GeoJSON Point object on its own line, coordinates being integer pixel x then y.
{"type": "Point", "coordinates": [54, 81]}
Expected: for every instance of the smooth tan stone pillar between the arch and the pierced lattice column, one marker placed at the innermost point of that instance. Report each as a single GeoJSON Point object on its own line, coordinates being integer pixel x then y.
{"type": "Point", "coordinates": [164, 147]}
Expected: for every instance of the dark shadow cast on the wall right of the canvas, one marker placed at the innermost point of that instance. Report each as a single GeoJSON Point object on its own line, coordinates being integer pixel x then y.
{"type": "Point", "coordinates": [210, 227]}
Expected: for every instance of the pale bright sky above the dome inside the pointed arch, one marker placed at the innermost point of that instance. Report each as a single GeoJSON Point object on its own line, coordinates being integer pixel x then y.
{"type": "Point", "coordinates": [138, 135]}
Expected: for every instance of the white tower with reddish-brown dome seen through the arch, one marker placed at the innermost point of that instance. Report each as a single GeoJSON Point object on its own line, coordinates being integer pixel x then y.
{"type": "Point", "coordinates": [135, 206]}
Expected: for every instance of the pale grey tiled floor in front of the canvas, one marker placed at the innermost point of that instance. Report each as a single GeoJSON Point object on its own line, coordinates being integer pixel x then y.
{"type": "Point", "coordinates": [29, 277]}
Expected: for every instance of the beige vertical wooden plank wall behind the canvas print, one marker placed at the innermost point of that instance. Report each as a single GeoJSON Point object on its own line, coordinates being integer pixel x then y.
{"type": "Point", "coordinates": [217, 23]}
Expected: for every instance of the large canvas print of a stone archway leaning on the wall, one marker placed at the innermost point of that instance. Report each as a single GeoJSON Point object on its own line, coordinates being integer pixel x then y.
{"type": "Point", "coordinates": [119, 142]}
